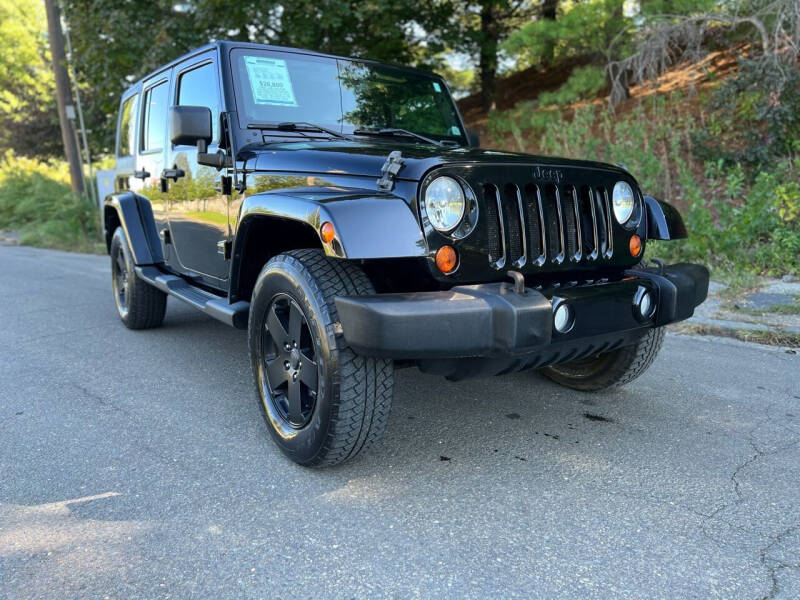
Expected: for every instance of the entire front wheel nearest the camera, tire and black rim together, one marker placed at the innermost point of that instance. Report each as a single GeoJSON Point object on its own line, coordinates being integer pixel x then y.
{"type": "Point", "coordinates": [323, 403]}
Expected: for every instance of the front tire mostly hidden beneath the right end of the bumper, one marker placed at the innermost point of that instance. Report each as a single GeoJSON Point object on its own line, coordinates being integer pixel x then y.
{"type": "Point", "coordinates": [611, 369]}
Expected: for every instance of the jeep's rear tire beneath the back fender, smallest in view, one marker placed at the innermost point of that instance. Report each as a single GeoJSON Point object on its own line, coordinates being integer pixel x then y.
{"type": "Point", "coordinates": [143, 306]}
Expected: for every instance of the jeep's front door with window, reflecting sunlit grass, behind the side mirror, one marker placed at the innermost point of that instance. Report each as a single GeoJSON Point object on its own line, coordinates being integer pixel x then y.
{"type": "Point", "coordinates": [198, 214]}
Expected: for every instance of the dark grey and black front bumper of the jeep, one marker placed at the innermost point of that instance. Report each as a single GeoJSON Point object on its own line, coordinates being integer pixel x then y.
{"type": "Point", "coordinates": [493, 321]}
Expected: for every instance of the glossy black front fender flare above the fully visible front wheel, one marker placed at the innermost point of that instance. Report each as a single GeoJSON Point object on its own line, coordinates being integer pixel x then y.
{"type": "Point", "coordinates": [367, 225]}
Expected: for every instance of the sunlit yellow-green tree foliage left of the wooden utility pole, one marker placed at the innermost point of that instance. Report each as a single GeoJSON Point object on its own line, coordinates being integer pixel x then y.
{"type": "Point", "coordinates": [28, 118]}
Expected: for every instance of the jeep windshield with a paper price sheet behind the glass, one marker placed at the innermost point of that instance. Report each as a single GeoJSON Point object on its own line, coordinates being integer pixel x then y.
{"type": "Point", "coordinates": [282, 87]}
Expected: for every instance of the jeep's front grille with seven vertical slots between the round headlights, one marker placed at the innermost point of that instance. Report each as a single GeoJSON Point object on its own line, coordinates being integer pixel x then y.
{"type": "Point", "coordinates": [547, 223]}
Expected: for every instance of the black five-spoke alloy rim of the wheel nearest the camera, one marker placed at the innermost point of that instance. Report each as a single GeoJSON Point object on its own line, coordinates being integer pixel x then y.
{"type": "Point", "coordinates": [291, 375]}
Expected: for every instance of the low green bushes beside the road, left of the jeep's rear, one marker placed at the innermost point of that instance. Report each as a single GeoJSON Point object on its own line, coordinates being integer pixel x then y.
{"type": "Point", "coordinates": [36, 201]}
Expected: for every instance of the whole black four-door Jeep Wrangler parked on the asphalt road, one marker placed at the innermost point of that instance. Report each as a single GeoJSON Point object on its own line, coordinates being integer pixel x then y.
{"type": "Point", "coordinates": [339, 210]}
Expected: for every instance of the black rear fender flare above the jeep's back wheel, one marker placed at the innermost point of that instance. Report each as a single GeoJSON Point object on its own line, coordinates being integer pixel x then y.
{"type": "Point", "coordinates": [136, 218]}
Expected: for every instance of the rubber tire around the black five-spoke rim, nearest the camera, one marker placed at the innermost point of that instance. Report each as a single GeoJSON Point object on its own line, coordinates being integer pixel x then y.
{"type": "Point", "coordinates": [354, 394]}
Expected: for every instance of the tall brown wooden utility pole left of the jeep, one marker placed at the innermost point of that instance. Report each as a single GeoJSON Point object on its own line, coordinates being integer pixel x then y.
{"type": "Point", "coordinates": [66, 111]}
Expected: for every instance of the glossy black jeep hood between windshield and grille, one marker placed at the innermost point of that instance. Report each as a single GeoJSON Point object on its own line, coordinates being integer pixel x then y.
{"type": "Point", "coordinates": [365, 157]}
